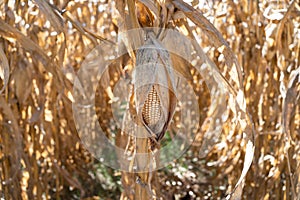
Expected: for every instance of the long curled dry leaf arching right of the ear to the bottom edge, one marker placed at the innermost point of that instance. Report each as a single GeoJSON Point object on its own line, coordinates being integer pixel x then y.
{"type": "Point", "coordinates": [233, 86]}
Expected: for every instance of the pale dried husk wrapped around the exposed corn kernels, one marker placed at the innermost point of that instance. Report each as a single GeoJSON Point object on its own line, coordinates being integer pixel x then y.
{"type": "Point", "coordinates": [154, 70]}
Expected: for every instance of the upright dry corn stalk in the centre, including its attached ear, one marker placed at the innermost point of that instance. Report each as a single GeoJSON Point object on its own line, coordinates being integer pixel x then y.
{"type": "Point", "coordinates": [152, 97]}
